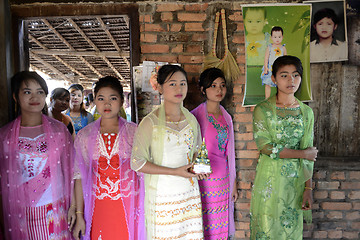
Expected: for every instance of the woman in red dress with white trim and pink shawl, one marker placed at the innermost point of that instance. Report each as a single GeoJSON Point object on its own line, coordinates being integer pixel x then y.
{"type": "Point", "coordinates": [107, 190]}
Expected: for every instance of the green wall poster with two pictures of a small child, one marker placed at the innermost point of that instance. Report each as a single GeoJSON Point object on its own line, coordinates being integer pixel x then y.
{"type": "Point", "coordinates": [273, 30]}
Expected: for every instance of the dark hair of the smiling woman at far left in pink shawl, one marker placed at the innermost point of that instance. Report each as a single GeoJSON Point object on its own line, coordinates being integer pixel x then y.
{"type": "Point", "coordinates": [26, 76]}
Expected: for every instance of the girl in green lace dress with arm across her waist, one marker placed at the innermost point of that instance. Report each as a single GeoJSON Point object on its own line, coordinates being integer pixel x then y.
{"type": "Point", "coordinates": [283, 131]}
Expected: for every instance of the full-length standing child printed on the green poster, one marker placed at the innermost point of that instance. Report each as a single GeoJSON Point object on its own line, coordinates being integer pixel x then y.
{"type": "Point", "coordinates": [273, 51]}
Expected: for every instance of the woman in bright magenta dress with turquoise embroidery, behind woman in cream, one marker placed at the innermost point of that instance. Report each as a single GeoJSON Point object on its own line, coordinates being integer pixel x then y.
{"type": "Point", "coordinates": [218, 191]}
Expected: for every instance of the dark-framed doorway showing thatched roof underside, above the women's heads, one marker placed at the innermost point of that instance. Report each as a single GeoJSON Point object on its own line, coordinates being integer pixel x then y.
{"type": "Point", "coordinates": [78, 43]}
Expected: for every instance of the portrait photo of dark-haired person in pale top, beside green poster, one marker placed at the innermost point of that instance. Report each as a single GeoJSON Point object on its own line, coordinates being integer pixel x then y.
{"type": "Point", "coordinates": [328, 31]}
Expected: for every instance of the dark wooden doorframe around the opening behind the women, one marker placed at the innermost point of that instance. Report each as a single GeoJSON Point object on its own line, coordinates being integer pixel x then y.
{"type": "Point", "coordinates": [24, 11]}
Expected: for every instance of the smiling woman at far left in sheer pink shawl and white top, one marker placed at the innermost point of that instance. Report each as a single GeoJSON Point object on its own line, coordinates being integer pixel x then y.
{"type": "Point", "coordinates": [36, 166]}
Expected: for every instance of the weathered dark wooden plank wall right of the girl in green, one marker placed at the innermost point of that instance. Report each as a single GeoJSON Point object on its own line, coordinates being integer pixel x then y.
{"type": "Point", "coordinates": [336, 95]}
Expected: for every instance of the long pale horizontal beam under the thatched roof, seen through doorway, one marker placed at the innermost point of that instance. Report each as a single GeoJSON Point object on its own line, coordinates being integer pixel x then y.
{"type": "Point", "coordinates": [78, 53]}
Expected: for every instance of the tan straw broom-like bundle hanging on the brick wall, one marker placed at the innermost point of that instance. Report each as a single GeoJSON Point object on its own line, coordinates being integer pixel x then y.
{"type": "Point", "coordinates": [227, 64]}
